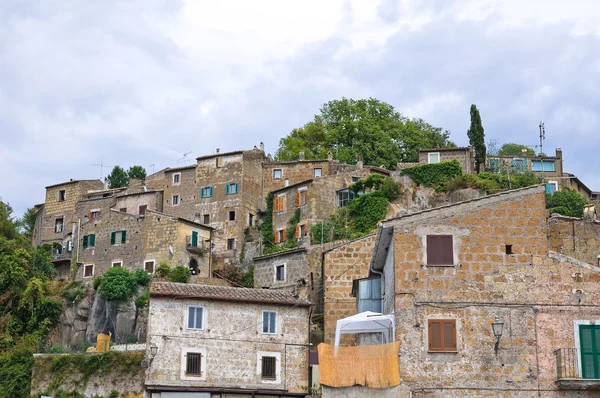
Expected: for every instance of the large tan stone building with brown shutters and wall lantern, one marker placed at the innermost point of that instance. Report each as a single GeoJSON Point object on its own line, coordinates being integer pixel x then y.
{"type": "Point", "coordinates": [447, 274]}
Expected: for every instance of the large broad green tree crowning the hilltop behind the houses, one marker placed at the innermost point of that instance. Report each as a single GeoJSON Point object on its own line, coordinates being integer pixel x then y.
{"type": "Point", "coordinates": [366, 128]}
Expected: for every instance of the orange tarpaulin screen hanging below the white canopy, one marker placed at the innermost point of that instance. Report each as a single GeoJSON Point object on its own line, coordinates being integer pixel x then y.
{"type": "Point", "coordinates": [373, 366]}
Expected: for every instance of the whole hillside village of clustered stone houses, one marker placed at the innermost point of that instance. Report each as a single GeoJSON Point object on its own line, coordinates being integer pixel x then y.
{"type": "Point", "coordinates": [315, 277]}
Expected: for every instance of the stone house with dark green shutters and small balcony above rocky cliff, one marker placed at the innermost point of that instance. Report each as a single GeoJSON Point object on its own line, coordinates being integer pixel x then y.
{"type": "Point", "coordinates": [133, 241]}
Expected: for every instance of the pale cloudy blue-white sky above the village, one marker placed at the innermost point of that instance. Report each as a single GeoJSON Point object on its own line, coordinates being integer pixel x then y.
{"type": "Point", "coordinates": [143, 82]}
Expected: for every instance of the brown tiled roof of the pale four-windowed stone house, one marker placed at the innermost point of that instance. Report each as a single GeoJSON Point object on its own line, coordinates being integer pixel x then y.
{"type": "Point", "coordinates": [222, 293]}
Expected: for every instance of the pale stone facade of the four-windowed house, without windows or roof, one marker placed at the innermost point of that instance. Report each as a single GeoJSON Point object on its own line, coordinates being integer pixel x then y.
{"type": "Point", "coordinates": [232, 340]}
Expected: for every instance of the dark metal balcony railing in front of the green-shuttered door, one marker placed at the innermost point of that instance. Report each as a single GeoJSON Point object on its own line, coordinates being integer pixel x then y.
{"type": "Point", "coordinates": [571, 364]}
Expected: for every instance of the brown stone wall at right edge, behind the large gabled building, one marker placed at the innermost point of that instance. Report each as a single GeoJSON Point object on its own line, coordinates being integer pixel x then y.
{"type": "Point", "coordinates": [578, 238]}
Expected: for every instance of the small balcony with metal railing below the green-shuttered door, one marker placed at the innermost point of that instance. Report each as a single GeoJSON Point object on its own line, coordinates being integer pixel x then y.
{"type": "Point", "coordinates": [577, 372]}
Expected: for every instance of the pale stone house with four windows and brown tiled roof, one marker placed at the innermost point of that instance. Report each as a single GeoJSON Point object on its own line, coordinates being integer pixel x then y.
{"type": "Point", "coordinates": [227, 342]}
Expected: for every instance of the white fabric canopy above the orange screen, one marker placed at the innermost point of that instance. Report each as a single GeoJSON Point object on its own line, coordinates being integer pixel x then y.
{"type": "Point", "coordinates": [367, 322]}
